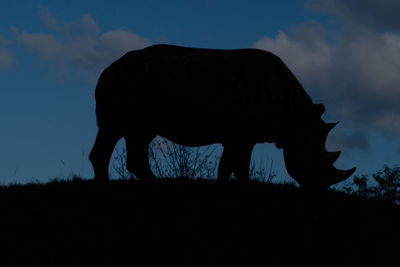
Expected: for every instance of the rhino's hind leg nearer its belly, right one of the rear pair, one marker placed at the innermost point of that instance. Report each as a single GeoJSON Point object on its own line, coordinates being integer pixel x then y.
{"type": "Point", "coordinates": [137, 156]}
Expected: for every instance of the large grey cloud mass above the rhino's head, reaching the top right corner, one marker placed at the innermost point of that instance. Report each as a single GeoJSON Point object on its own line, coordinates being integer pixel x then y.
{"type": "Point", "coordinates": [354, 69]}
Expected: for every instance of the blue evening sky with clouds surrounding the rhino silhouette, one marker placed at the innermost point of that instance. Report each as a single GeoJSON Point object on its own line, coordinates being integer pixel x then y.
{"type": "Point", "coordinates": [345, 53]}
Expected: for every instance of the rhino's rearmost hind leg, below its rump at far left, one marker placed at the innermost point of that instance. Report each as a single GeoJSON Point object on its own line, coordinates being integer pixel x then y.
{"type": "Point", "coordinates": [101, 153]}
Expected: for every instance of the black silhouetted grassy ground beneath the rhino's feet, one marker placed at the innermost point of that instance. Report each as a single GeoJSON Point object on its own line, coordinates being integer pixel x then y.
{"type": "Point", "coordinates": [192, 223]}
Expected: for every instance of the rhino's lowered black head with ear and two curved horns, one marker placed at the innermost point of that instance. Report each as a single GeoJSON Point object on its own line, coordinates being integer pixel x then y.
{"type": "Point", "coordinates": [308, 161]}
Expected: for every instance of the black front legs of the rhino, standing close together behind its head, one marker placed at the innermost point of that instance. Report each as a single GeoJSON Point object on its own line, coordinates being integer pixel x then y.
{"type": "Point", "coordinates": [235, 159]}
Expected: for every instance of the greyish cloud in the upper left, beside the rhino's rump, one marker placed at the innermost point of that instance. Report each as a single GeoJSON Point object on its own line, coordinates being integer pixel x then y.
{"type": "Point", "coordinates": [79, 43]}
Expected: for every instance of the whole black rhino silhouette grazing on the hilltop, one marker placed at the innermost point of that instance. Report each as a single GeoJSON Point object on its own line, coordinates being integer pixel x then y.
{"type": "Point", "coordinates": [197, 97]}
